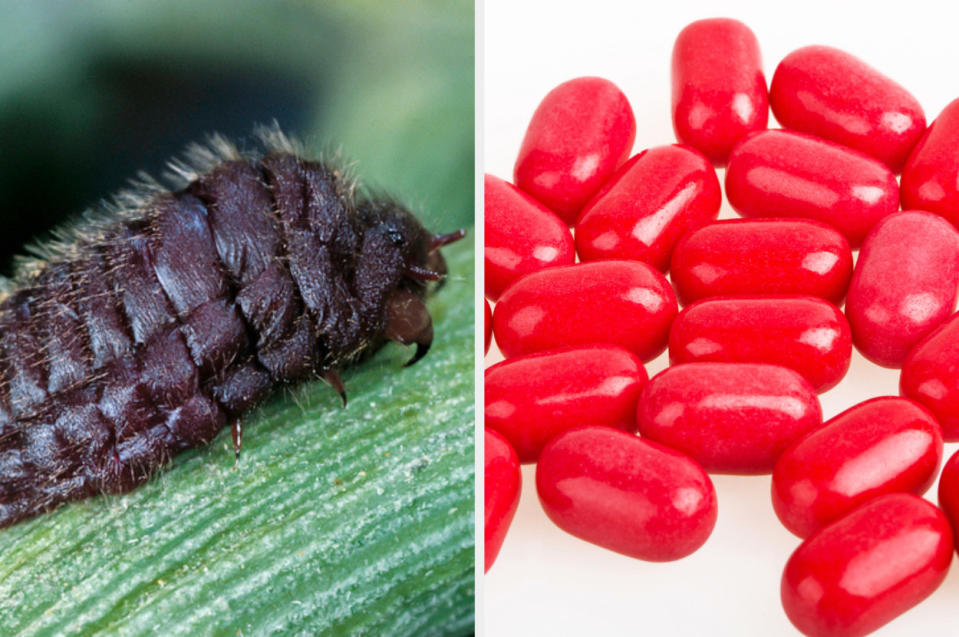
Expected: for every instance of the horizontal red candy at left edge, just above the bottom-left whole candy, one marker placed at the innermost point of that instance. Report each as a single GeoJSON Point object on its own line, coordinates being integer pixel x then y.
{"type": "Point", "coordinates": [531, 399]}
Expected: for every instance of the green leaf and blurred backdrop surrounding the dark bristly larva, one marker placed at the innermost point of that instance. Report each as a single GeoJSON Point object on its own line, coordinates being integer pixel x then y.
{"type": "Point", "coordinates": [336, 521]}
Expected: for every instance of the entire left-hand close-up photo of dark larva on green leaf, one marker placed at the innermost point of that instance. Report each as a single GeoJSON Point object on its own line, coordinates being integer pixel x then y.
{"type": "Point", "coordinates": [204, 427]}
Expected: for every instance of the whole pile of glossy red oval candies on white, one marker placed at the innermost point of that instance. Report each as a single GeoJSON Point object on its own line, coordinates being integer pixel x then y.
{"type": "Point", "coordinates": [761, 332]}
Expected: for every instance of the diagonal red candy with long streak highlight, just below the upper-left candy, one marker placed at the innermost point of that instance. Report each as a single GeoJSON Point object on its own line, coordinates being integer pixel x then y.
{"type": "Point", "coordinates": [651, 201]}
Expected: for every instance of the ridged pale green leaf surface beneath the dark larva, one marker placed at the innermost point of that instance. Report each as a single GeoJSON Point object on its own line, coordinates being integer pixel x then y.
{"type": "Point", "coordinates": [355, 520]}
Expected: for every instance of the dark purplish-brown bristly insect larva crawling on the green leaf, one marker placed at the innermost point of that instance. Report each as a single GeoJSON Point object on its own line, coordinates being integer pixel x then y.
{"type": "Point", "coordinates": [149, 325]}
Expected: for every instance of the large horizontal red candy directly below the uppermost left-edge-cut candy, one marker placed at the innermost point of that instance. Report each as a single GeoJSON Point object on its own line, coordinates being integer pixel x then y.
{"type": "Point", "coordinates": [625, 303]}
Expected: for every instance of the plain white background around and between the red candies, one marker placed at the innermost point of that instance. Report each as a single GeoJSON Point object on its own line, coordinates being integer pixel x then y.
{"type": "Point", "coordinates": [546, 582]}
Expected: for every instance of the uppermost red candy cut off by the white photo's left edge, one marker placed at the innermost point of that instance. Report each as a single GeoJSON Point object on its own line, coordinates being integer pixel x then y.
{"type": "Point", "coordinates": [520, 236]}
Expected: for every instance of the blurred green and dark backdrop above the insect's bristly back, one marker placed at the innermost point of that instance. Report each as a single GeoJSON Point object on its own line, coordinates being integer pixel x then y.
{"type": "Point", "coordinates": [91, 92]}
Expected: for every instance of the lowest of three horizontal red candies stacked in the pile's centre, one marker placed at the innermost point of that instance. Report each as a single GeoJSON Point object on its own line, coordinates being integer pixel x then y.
{"type": "Point", "coordinates": [729, 417]}
